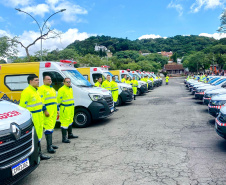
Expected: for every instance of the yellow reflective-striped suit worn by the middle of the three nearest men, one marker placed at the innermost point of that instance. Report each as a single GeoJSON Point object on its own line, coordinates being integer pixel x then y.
{"type": "Point", "coordinates": [49, 99]}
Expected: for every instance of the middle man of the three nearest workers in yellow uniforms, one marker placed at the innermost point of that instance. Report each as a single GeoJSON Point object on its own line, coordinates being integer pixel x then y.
{"type": "Point", "coordinates": [49, 99]}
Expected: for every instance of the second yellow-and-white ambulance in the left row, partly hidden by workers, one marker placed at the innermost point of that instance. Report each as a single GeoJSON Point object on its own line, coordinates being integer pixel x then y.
{"type": "Point", "coordinates": [93, 73]}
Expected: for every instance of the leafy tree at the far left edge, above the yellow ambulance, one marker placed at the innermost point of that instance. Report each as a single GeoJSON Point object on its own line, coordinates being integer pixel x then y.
{"type": "Point", "coordinates": [8, 47]}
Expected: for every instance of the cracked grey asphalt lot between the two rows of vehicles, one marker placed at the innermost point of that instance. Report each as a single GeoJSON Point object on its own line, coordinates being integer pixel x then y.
{"type": "Point", "coordinates": [164, 137]}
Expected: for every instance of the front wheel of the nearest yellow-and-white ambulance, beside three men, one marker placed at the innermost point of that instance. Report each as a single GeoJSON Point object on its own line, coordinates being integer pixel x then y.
{"type": "Point", "coordinates": [82, 118]}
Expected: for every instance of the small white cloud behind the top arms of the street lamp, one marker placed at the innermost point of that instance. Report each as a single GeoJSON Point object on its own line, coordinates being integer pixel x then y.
{"type": "Point", "coordinates": [40, 9]}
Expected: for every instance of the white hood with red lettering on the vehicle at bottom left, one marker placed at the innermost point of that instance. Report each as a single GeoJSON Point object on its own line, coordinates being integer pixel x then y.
{"type": "Point", "coordinates": [10, 112]}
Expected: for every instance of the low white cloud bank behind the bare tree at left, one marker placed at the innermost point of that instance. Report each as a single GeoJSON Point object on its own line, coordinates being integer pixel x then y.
{"type": "Point", "coordinates": [65, 39]}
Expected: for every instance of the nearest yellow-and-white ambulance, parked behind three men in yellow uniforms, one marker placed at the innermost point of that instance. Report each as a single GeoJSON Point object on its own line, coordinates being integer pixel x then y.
{"type": "Point", "coordinates": [90, 103]}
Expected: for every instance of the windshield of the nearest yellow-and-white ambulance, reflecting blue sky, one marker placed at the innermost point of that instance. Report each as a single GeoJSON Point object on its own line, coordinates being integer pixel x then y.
{"type": "Point", "coordinates": [77, 78]}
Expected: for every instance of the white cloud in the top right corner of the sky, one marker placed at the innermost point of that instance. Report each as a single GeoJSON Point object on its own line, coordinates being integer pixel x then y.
{"type": "Point", "coordinates": [207, 4]}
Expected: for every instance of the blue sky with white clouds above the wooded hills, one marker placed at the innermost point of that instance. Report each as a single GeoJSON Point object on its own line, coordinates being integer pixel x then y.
{"type": "Point", "coordinates": [117, 18]}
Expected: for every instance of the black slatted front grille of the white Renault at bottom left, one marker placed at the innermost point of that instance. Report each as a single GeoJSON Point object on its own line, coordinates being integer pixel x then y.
{"type": "Point", "coordinates": [12, 150]}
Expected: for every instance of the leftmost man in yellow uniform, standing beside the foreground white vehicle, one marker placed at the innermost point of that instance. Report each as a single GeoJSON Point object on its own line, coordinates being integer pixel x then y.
{"type": "Point", "coordinates": [31, 100]}
